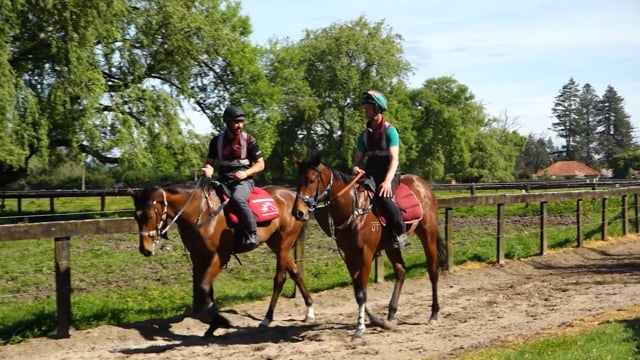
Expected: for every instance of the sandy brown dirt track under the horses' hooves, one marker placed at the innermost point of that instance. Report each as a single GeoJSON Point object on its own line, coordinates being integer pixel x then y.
{"type": "Point", "coordinates": [478, 307]}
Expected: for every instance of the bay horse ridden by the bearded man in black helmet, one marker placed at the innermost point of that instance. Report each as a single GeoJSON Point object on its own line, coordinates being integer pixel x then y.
{"type": "Point", "coordinates": [204, 226]}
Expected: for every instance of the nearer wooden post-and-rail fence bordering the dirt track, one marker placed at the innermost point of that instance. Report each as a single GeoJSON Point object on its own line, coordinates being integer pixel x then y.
{"type": "Point", "coordinates": [62, 232]}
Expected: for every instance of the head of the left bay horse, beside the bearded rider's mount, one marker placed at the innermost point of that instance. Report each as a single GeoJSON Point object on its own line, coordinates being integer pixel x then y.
{"type": "Point", "coordinates": [151, 215]}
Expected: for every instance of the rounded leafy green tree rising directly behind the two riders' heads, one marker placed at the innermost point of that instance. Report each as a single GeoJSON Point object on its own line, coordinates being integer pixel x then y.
{"type": "Point", "coordinates": [322, 78]}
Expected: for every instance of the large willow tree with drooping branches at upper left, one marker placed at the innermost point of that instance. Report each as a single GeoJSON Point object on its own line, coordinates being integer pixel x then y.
{"type": "Point", "coordinates": [113, 79]}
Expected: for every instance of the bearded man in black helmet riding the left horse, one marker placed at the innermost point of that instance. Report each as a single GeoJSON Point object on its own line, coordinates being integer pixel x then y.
{"type": "Point", "coordinates": [238, 158]}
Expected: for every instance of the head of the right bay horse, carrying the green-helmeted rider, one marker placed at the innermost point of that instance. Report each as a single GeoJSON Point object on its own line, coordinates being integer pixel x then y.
{"type": "Point", "coordinates": [313, 184]}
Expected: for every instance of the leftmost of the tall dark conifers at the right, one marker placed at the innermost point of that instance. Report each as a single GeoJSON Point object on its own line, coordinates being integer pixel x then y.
{"type": "Point", "coordinates": [565, 110]}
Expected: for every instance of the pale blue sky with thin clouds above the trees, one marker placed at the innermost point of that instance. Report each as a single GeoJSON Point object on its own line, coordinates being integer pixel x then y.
{"type": "Point", "coordinates": [514, 56]}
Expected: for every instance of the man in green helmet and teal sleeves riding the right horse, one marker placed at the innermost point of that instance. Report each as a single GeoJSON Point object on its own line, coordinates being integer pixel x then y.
{"type": "Point", "coordinates": [380, 143]}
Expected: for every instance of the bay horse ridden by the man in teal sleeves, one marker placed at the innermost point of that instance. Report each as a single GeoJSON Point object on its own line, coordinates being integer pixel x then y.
{"type": "Point", "coordinates": [359, 233]}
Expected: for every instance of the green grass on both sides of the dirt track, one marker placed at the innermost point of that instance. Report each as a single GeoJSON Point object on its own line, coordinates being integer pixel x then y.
{"type": "Point", "coordinates": [114, 284]}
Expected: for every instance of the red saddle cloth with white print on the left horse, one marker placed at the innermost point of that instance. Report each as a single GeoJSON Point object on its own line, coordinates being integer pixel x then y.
{"type": "Point", "coordinates": [262, 205]}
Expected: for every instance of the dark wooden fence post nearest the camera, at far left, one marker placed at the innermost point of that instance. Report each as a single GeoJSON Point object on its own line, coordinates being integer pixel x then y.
{"type": "Point", "coordinates": [63, 285]}
